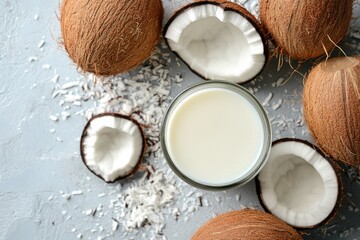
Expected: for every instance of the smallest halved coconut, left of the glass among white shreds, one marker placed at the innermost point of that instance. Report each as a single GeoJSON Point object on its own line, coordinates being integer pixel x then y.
{"type": "Point", "coordinates": [112, 146]}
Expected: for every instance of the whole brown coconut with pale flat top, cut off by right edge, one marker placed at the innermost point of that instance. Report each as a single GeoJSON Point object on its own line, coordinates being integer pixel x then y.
{"type": "Point", "coordinates": [332, 108]}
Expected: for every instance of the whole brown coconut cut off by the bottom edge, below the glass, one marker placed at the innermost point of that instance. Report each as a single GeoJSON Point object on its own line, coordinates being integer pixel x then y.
{"type": "Point", "coordinates": [247, 225]}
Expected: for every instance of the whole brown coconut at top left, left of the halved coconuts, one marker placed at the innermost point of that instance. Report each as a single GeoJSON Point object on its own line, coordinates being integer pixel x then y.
{"type": "Point", "coordinates": [107, 37]}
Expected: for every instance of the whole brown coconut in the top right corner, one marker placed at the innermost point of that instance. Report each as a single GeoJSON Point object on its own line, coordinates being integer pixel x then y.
{"type": "Point", "coordinates": [305, 29]}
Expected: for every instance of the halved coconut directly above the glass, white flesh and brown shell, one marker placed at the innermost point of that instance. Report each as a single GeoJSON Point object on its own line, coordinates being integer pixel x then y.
{"type": "Point", "coordinates": [218, 40]}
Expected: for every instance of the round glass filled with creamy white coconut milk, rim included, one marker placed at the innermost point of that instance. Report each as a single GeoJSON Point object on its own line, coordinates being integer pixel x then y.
{"type": "Point", "coordinates": [216, 136]}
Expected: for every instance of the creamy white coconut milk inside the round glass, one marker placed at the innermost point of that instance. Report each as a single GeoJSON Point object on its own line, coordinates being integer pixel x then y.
{"type": "Point", "coordinates": [214, 136]}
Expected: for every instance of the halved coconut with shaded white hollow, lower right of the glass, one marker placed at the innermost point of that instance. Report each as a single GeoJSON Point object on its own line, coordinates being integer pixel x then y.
{"type": "Point", "coordinates": [298, 185]}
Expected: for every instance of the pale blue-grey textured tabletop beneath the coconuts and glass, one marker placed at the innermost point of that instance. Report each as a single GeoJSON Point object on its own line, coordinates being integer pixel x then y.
{"type": "Point", "coordinates": [36, 166]}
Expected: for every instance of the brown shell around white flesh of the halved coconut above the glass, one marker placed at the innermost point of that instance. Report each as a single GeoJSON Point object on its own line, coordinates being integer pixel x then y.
{"type": "Point", "coordinates": [227, 6]}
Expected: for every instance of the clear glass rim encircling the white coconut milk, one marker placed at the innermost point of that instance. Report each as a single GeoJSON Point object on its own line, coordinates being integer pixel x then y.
{"type": "Point", "coordinates": [265, 151]}
